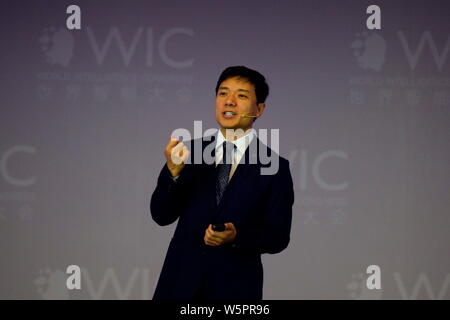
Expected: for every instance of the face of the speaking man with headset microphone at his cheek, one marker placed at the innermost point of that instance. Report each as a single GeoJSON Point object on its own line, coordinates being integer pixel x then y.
{"type": "Point", "coordinates": [236, 97]}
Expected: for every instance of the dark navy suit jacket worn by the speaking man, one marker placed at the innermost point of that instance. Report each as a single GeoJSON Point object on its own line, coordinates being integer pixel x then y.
{"type": "Point", "coordinates": [260, 207]}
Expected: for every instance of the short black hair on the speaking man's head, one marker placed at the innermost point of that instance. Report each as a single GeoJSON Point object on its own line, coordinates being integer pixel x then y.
{"type": "Point", "coordinates": [252, 76]}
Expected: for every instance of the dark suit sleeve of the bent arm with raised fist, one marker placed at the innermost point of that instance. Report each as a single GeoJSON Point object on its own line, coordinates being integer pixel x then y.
{"type": "Point", "coordinates": [170, 196]}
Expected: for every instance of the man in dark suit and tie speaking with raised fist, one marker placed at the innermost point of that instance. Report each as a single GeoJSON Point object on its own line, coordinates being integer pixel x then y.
{"type": "Point", "coordinates": [255, 208]}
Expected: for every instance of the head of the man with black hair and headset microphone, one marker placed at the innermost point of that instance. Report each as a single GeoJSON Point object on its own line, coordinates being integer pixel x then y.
{"type": "Point", "coordinates": [240, 91]}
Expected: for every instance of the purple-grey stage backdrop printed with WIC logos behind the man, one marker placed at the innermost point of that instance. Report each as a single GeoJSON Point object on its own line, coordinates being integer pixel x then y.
{"type": "Point", "coordinates": [363, 117]}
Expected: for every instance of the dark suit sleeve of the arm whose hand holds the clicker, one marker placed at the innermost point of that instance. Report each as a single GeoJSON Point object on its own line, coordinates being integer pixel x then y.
{"type": "Point", "coordinates": [272, 235]}
